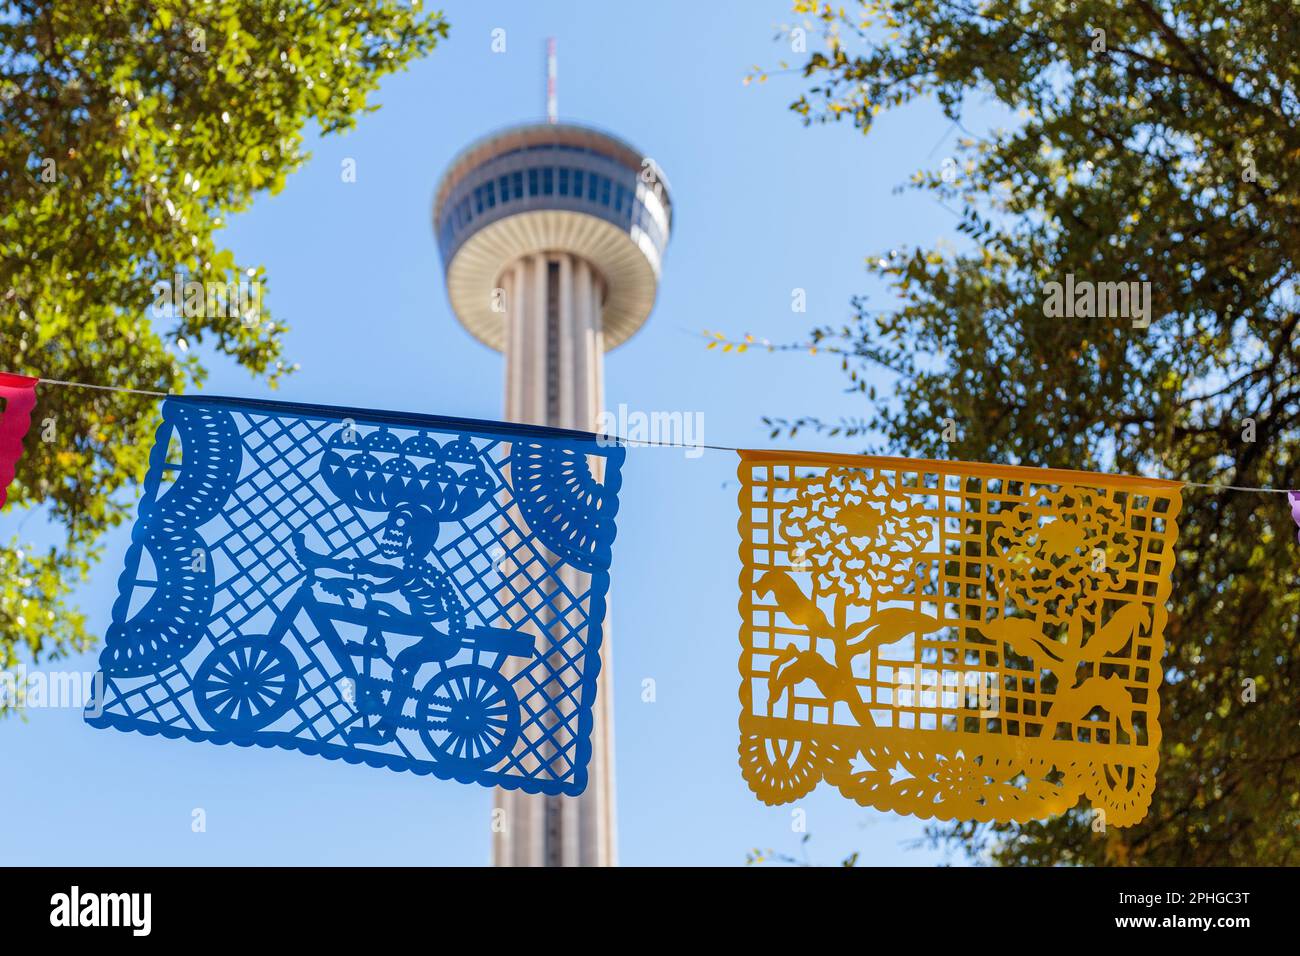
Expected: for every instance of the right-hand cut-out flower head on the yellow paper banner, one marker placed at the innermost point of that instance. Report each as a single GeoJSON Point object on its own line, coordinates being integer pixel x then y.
{"type": "Point", "coordinates": [1058, 555]}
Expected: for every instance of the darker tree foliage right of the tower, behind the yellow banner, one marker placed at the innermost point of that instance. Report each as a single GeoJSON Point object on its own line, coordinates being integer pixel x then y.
{"type": "Point", "coordinates": [1165, 150]}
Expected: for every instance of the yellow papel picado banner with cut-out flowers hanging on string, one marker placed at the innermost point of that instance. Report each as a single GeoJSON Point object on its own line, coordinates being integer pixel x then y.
{"type": "Point", "coordinates": [952, 641]}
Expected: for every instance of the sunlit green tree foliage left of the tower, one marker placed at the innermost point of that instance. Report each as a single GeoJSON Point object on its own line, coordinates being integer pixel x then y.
{"type": "Point", "coordinates": [129, 131]}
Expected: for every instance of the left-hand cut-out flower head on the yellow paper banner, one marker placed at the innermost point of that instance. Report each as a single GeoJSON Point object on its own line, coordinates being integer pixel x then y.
{"type": "Point", "coordinates": [861, 538]}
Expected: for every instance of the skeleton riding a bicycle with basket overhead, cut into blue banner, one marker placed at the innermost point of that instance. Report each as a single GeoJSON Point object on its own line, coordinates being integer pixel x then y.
{"type": "Point", "coordinates": [465, 713]}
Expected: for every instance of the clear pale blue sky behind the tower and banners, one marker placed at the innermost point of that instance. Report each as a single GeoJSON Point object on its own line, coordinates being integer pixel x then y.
{"type": "Point", "coordinates": [762, 207]}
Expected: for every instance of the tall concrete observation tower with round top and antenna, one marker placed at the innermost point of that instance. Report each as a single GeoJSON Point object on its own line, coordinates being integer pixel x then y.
{"type": "Point", "coordinates": [553, 239]}
